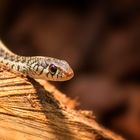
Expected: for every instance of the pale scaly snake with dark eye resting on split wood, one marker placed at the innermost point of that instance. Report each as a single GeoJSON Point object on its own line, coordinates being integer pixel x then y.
{"type": "Point", "coordinates": [37, 67]}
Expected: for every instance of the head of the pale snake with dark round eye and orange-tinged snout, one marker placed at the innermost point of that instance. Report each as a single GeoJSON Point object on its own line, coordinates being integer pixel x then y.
{"type": "Point", "coordinates": [53, 69]}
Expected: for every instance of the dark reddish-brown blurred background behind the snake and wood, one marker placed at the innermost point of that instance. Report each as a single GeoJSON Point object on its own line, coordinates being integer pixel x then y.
{"type": "Point", "coordinates": [101, 41]}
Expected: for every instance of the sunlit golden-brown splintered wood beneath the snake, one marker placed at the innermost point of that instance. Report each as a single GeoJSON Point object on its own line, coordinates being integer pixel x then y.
{"type": "Point", "coordinates": [36, 110]}
